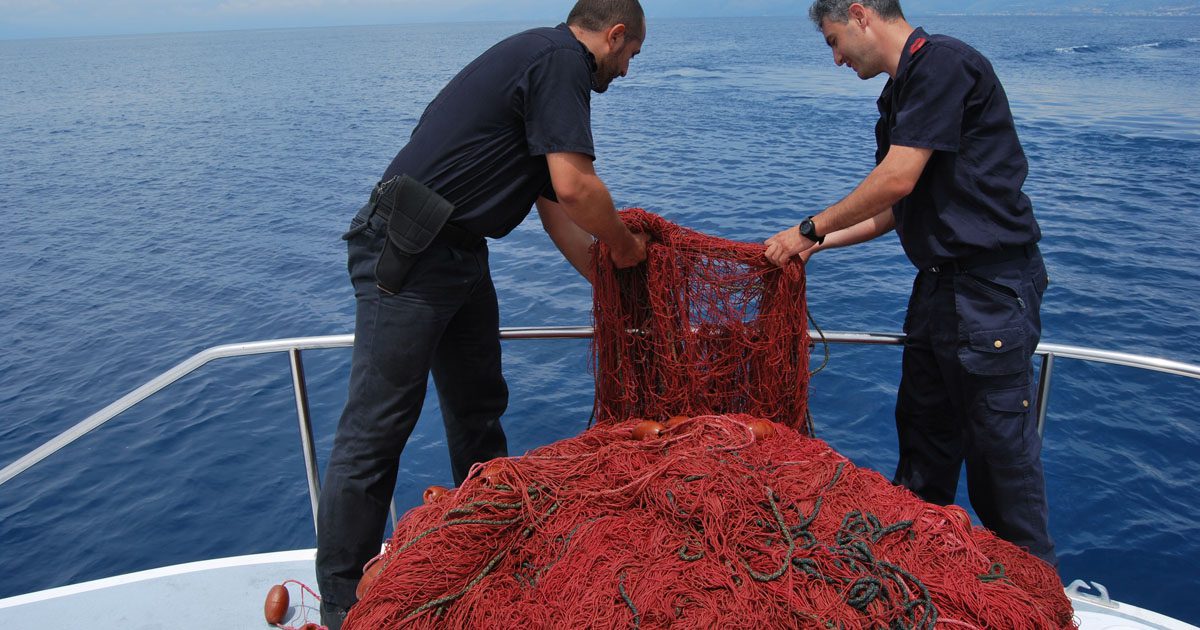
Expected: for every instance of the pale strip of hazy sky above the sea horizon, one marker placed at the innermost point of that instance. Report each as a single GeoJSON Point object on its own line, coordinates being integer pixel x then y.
{"type": "Point", "coordinates": [70, 19]}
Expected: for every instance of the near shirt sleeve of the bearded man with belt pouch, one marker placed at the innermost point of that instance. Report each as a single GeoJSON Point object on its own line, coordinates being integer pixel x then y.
{"type": "Point", "coordinates": [559, 105]}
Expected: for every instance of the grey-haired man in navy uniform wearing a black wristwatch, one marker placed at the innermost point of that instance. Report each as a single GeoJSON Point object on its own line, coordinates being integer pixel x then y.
{"type": "Point", "coordinates": [949, 181]}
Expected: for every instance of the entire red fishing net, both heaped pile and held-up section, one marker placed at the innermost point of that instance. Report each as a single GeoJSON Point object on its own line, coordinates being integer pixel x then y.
{"type": "Point", "coordinates": [715, 519]}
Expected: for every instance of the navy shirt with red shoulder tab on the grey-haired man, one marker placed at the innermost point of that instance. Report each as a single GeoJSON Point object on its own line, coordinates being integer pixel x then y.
{"type": "Point", "coordinates": [969, 201]}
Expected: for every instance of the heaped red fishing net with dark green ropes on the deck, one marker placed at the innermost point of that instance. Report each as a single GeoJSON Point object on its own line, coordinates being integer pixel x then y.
{"type": "Point", "coordinates": [705, 526]}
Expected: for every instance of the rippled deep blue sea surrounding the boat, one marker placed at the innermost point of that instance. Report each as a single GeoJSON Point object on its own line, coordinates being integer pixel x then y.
{"type": "Point", "coordinates": [166, 194]}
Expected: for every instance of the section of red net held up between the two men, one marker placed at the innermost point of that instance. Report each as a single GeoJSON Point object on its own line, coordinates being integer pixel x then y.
{"type": "Point", "coordinates": [705, 327]}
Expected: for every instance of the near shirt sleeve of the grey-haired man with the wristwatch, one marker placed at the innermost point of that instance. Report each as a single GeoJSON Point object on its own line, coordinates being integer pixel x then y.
{"type": "Point", "coordinates": [932, 103]}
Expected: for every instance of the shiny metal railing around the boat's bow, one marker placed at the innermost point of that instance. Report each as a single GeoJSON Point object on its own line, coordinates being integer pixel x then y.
{"type": "Point", "coordinates": [295, 347]}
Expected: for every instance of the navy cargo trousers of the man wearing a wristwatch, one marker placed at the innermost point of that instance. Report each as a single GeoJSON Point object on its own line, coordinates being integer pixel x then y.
{"type": "Point", "coordinates": [967, 395]}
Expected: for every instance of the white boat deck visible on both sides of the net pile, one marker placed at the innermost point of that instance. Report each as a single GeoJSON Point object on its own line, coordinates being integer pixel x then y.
{"type": "Point", "coordinates": [230, 595]}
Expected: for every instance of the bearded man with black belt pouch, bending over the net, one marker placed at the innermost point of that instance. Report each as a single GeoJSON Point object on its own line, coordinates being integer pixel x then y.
{"type": "Point", "coordinates": [511, 130]}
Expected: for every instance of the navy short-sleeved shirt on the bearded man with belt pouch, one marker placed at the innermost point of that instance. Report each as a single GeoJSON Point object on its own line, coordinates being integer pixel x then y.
{"type": "Point", "coordinates": [482, 143]}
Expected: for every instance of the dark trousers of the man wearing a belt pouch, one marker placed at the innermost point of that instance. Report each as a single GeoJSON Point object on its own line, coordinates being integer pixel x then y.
{"type": "Point", "coordinates": [445, 320]}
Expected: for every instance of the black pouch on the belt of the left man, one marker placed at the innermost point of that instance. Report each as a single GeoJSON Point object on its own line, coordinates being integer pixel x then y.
{"type": "Point", "coordinates": [416, 215]}
